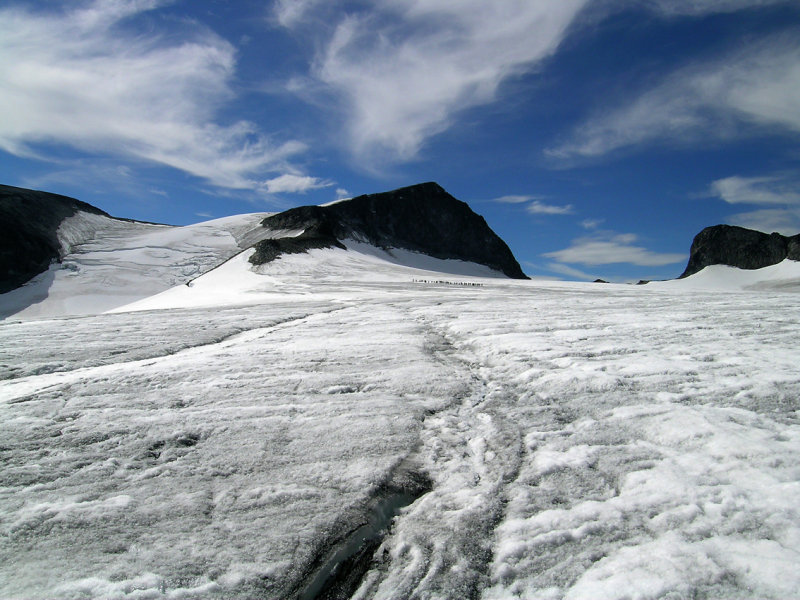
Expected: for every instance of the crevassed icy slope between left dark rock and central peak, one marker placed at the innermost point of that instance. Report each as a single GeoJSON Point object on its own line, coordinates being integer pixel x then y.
{"type": "Point", "coordinates": [110, 262]}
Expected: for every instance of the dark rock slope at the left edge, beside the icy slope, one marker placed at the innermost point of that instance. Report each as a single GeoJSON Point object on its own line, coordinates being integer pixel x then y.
{"type": "Point", "coordinates": [29, 221]}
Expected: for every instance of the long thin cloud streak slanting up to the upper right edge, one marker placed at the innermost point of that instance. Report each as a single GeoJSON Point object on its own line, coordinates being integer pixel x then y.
{"type": "Point", "coordinates": [754, 89]}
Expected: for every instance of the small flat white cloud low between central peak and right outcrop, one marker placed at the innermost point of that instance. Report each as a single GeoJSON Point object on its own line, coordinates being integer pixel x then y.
{"type": "Point", "coordinates": [607, 248]}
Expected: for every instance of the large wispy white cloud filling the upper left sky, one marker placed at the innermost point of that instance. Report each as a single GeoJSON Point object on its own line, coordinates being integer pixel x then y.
{"type": "Point", "coordinates": [81, 78]}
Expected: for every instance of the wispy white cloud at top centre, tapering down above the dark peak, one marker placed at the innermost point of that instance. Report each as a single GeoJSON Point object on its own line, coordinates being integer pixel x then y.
{"type": "Point", "coordinates": [402, 69]}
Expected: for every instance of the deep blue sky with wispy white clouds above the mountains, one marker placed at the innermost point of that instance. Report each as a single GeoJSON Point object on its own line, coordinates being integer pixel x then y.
{"type": "Point", "coordinates": [597, 137]}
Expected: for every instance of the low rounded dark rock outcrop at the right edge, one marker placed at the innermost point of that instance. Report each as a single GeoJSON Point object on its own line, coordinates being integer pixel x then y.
{"type": "Point", "coordinates": [740, 247]}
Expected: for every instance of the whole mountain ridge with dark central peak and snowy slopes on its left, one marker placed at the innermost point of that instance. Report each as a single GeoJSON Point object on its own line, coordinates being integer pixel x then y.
{"type": "Point", "coordinates": [96, 262]}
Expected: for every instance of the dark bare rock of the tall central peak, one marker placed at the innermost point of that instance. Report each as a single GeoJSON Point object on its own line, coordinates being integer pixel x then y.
{"type": "Point", "coordinates": [423, 218]}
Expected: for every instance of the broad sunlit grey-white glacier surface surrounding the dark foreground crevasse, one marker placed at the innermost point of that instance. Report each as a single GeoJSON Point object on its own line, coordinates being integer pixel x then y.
{"type": "Point", "coordinates": [583, 441]}
